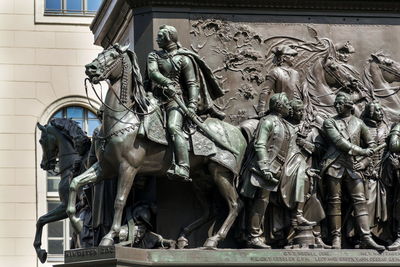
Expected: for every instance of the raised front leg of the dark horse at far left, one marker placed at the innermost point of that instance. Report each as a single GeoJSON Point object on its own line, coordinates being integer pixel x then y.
{"type": "Point", "coordinates": [54, 215]}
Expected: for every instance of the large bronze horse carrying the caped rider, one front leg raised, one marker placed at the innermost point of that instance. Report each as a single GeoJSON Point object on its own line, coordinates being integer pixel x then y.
{"type": "Point", "coordinates": [125, 149]}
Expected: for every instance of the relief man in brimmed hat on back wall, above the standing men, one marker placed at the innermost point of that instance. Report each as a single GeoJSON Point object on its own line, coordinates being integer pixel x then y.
{"type": "Point", "coordinates": [283, 78]}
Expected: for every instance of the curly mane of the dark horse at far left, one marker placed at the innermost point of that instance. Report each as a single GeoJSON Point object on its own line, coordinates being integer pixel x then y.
{"type": "Point", "coordinates": [70, 129]}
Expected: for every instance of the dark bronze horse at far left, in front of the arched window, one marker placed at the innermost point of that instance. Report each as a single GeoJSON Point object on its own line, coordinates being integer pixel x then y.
{"type": "Point", "coordinates": [59, 140]}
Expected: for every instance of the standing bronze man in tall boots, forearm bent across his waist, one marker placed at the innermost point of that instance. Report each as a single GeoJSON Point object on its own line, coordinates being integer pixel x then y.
{"type": "Point", "coordinates": [345, 133]}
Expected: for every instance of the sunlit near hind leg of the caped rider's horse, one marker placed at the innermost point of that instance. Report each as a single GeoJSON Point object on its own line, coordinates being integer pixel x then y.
{"type": "Point", "coordinates": [223, 179]}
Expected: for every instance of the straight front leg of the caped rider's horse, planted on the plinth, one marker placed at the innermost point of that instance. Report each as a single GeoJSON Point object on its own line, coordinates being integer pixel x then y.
{"type": "Point", "coordinates": [125, 180]}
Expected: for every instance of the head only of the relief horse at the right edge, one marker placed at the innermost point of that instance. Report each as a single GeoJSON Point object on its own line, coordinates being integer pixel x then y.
{"type": "Point", "coordinates": [390, 69]}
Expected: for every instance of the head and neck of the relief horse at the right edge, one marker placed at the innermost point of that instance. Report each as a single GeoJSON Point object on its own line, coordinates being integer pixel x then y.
{"type": "Point", "coordinates": [379, 72]}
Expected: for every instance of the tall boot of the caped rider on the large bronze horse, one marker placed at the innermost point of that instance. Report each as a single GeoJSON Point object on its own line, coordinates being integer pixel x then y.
{"type": "Point", "coordinates": [180, 169]}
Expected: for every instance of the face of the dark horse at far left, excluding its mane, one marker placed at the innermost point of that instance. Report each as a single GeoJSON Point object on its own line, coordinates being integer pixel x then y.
{"type": "Point", "coordinates": [49, 146]}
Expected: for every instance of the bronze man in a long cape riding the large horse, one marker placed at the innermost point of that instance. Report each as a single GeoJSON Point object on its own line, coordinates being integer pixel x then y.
{"type": "Point", "coordinates": [176, 70]}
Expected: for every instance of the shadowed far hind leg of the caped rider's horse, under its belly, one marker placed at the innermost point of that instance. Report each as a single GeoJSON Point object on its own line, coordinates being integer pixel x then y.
{"type": "Point", "coordinates": [206, 216]}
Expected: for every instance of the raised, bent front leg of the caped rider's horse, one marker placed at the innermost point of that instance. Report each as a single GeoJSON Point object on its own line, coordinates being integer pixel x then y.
{"type": "Point", "coordinates": [91, 175]}
